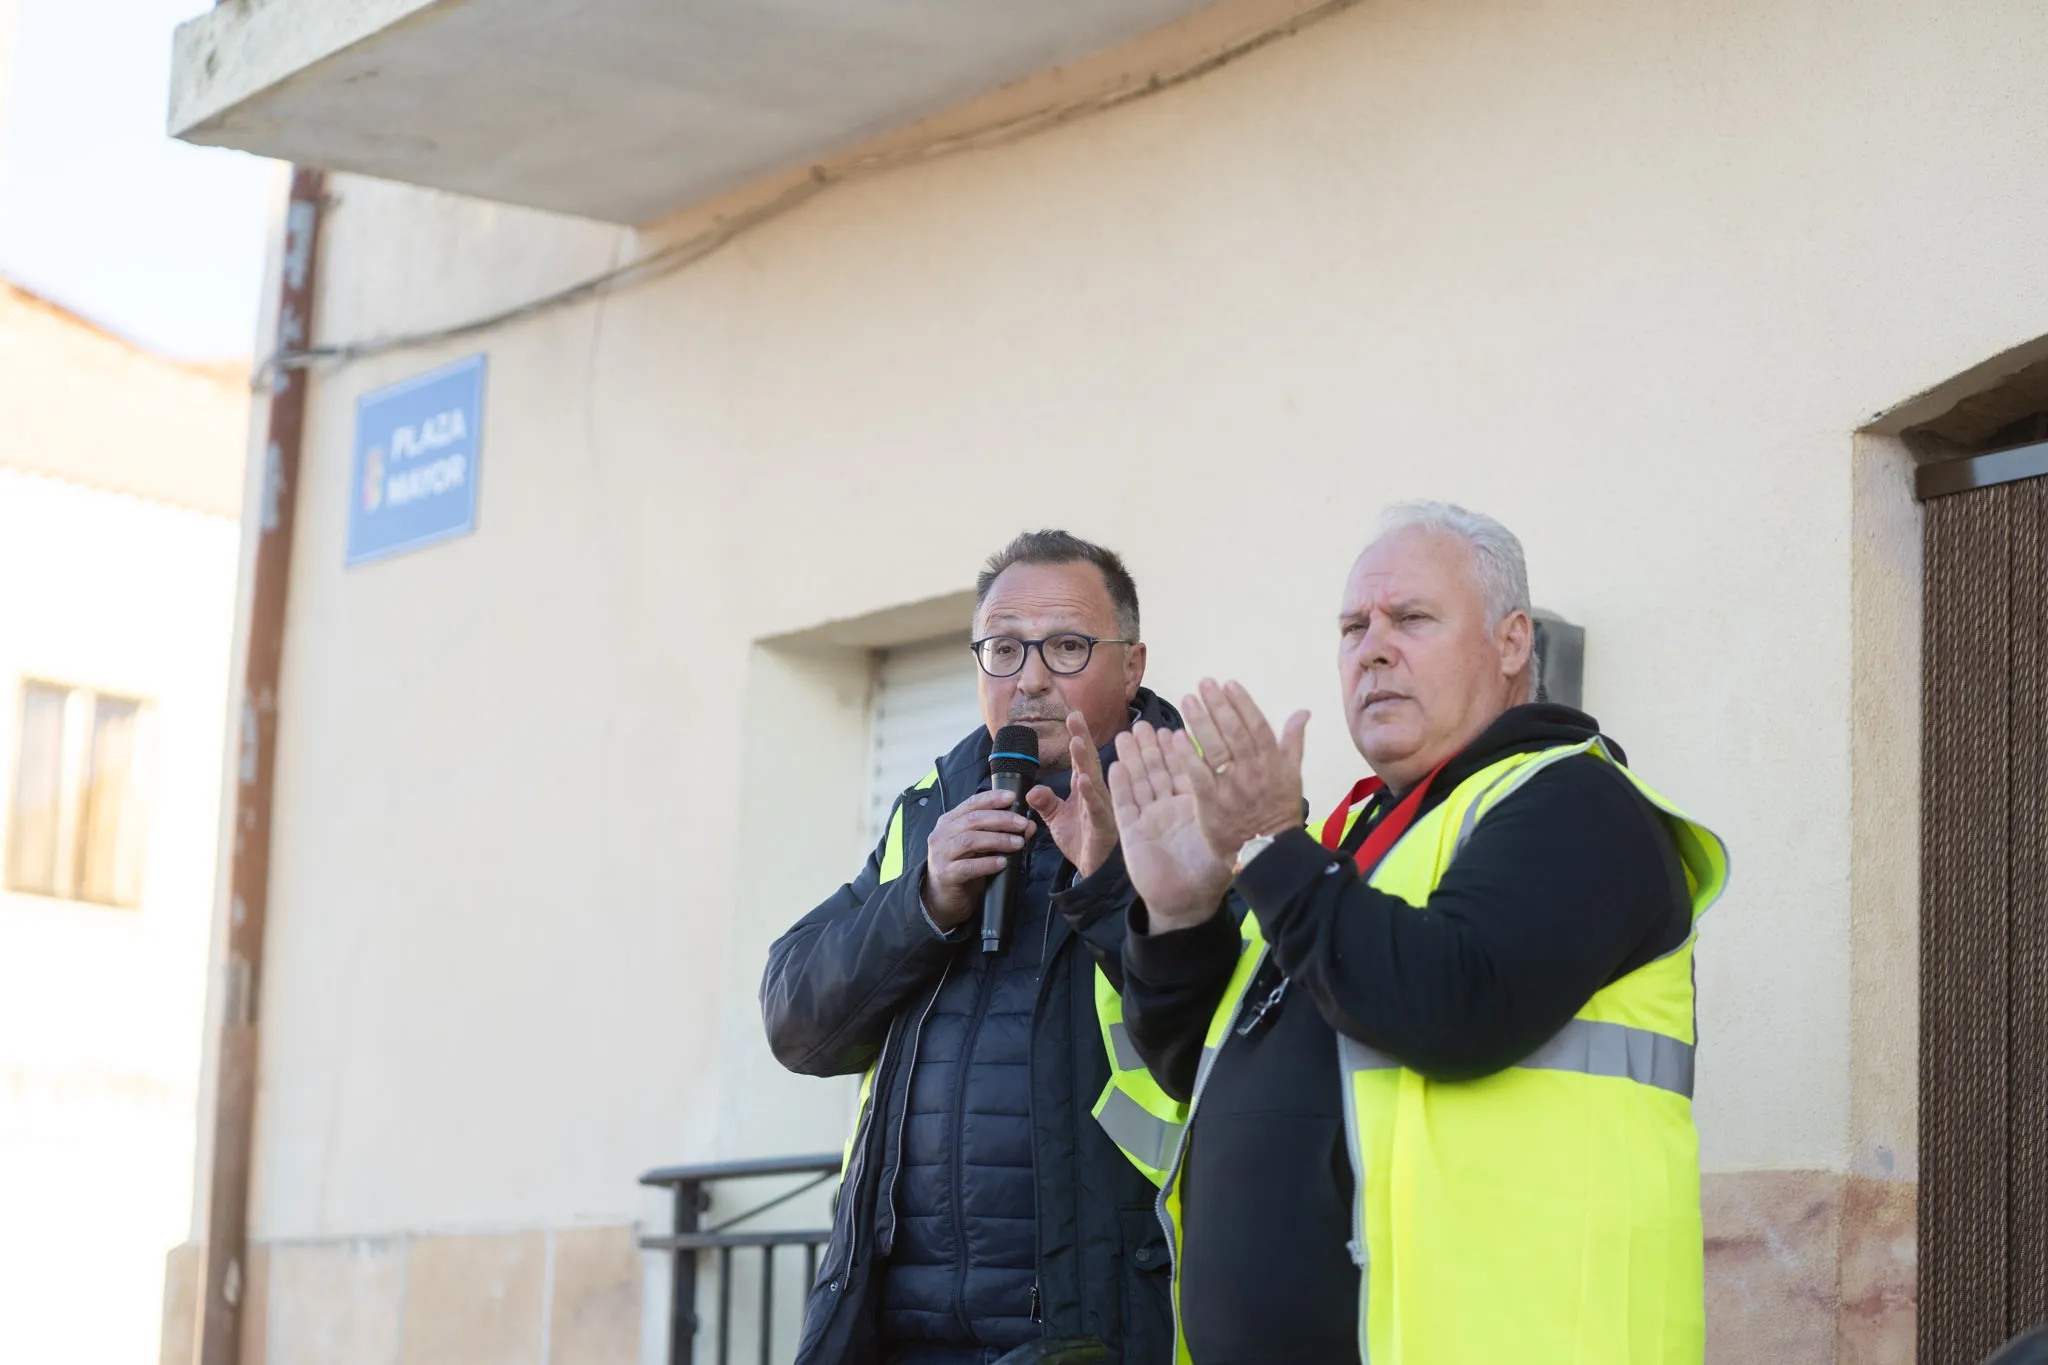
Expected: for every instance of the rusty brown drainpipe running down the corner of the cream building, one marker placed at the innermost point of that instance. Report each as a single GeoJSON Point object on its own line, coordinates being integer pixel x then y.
{"type": "Point", "coordinates": [224, 1282]}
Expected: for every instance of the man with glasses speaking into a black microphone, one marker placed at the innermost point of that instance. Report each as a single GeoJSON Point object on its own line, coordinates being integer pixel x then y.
{"type": "Point", "coordinates": [982, 1206]}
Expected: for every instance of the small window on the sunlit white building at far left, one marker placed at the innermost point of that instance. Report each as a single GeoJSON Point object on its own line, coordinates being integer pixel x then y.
{"type": "Point", "coordinates": [79, 813]}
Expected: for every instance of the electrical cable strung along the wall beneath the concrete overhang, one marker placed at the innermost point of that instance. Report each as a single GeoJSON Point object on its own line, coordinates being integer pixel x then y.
{"type": "Point", "coordinates": [695, 249]}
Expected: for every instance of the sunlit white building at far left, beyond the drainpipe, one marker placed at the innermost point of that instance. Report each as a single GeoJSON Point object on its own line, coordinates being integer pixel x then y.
{"type": "Point", "coordinates": [120, 492]}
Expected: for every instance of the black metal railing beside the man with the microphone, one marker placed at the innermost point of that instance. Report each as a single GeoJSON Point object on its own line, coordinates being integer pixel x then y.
{"type": "Point", "coordinates": [687, 1241]}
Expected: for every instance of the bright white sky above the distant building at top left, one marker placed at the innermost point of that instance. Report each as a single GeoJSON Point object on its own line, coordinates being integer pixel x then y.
{"type": "Point", "coordinates": [99, 208]}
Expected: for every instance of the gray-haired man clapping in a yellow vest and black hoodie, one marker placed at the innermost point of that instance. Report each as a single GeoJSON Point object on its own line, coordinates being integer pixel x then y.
{"type": "Point", "coordinates": [1437, 1082]}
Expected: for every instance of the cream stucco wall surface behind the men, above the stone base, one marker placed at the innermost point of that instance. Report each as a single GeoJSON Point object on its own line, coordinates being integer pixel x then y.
{"type": "Point", "coordinates": [1627, 277]}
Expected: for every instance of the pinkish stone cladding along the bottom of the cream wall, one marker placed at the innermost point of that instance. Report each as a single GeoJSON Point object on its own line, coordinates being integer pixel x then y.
{"type": "Point", "coordinates": [1803, 1268]}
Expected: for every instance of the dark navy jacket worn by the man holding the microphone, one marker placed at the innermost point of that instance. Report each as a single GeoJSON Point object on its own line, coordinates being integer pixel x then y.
{"type": "Point", "coordinates": [857, 983]}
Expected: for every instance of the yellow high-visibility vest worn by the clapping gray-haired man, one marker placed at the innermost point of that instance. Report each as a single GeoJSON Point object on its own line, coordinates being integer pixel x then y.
{"type": "Point", "coordinates": [1547, 1215]}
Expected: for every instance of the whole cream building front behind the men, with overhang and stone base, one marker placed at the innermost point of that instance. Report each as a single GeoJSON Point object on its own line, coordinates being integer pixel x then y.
{"type": "Point", "coordinates": [1656, 288]}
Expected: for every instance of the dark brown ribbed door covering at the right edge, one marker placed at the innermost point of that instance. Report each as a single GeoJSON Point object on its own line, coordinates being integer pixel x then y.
{"type": "Point", "coordinates": [1983, 1067]}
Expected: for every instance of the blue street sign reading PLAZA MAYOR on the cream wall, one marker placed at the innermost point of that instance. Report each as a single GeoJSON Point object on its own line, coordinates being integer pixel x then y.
{"type": "Point", "coordinates": [417, 461]}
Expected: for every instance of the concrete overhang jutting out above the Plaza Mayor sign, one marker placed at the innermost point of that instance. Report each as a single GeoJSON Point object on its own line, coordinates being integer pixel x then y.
{"type": "Point", "coordinates": [609, 109]}
